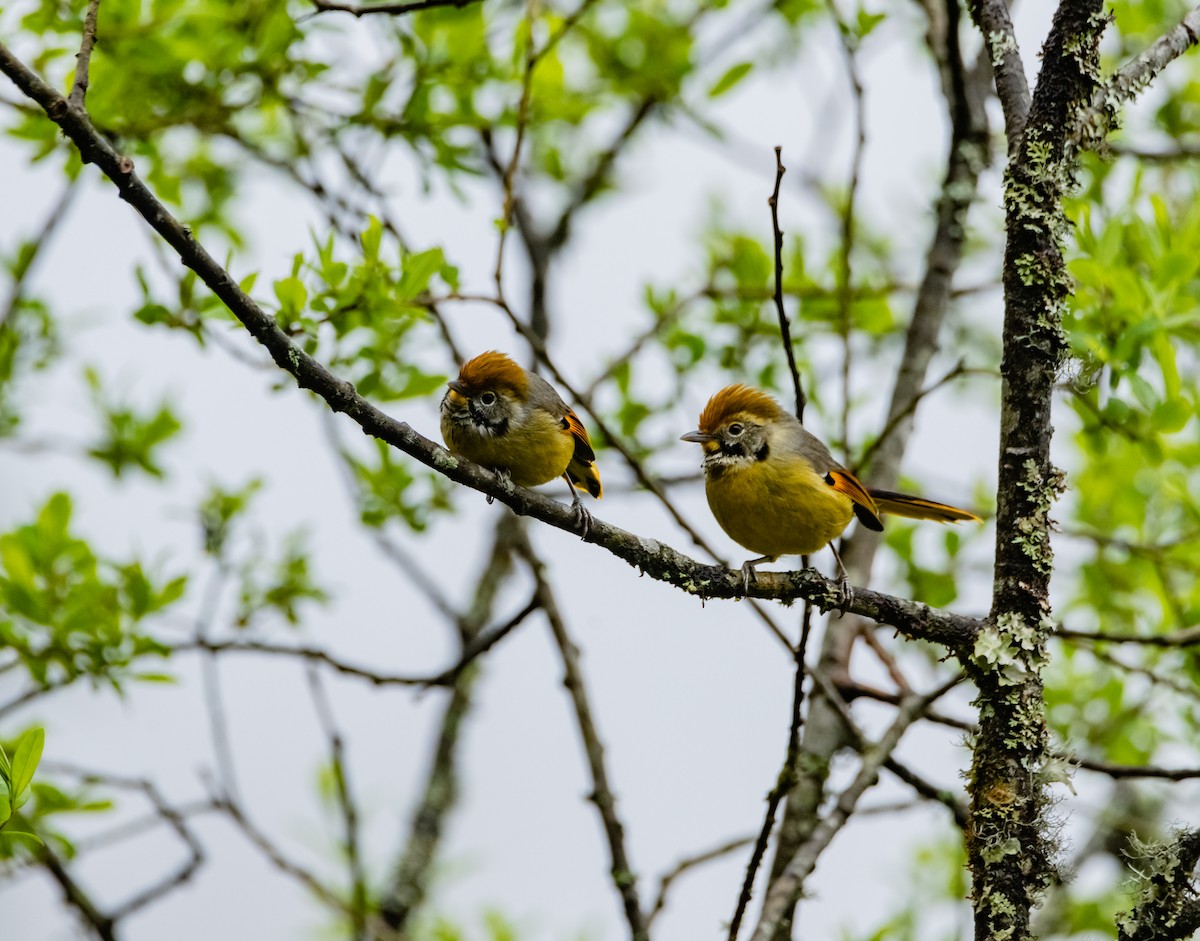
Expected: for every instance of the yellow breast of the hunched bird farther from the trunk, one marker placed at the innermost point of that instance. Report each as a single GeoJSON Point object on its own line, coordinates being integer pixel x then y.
{"type": "Point", "coordinates": [533, 451]}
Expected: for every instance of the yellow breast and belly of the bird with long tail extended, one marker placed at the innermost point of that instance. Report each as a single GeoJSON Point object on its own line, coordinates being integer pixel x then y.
{"type": "Point", "coordinates": [778, 507]}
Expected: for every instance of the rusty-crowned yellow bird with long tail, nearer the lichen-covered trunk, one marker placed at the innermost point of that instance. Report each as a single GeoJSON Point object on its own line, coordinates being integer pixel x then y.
{"type": "Point", "coordinates": [776, 489]}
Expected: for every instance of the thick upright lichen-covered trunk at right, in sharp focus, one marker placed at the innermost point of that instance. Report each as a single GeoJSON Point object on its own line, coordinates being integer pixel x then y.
{"type": "Point", "coordinates": [1010, 847]}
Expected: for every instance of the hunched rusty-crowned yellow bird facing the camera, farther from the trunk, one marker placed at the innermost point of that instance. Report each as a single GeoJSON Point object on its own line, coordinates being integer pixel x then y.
{"type": "Point", "coordinates": [513, 422]}
